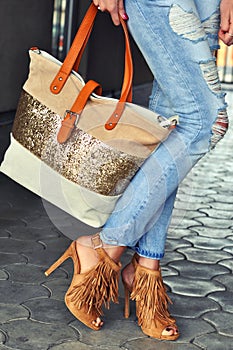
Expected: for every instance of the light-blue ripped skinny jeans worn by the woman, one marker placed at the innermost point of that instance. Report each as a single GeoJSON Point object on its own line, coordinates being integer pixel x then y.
{"type": "Point", "coordinates": [177, 38]}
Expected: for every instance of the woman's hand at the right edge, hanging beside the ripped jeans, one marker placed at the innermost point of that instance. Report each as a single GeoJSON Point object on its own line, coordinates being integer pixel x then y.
{"type": "Point", "coordinates": [226, 25]}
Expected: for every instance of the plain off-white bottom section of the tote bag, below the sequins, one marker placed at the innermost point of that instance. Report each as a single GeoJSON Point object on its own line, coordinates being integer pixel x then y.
{"type": "Point", "coordinates": [29, 171]}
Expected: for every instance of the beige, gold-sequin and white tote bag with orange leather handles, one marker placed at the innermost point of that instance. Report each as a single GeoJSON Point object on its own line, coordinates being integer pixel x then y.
{"type": "Point", "coordinates": [73, 147]}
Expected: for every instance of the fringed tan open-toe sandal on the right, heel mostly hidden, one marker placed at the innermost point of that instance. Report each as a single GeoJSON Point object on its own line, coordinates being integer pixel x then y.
{"type": "Point", "coordinates": [149, 292]}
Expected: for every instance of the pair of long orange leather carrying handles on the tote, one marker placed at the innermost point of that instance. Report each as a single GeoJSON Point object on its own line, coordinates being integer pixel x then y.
{"type": "Point", "coordinates": [74, 56]}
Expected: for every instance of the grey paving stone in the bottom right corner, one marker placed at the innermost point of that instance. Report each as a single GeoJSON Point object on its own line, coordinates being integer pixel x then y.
{"type": "Point", "coordinates": [214, 342]}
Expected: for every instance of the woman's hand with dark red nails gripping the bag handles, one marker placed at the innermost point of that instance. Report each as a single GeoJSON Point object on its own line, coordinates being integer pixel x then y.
{"type": "Point", "coordinates": [114, 7]}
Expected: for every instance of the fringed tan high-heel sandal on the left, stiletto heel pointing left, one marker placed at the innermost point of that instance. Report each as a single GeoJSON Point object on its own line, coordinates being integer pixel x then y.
{"type": "Point", "coordinates": [90, 290]}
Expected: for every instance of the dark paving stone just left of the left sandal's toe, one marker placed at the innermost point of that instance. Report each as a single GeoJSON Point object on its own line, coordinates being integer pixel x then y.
{"type": "Point", "coordinates": [49, 311]}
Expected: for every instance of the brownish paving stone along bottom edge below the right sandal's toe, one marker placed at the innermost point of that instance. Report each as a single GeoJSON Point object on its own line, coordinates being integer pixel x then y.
{"type": "Point", "coordinates": [152, 344]}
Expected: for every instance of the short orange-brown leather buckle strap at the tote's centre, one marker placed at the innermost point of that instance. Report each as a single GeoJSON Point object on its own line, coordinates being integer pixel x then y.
{"type": "Point", "coordinates": [72, 115]}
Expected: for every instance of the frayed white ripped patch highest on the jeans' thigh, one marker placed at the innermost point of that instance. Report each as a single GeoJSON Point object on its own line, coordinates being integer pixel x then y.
{"type": "Point", "coordinates": [186, 24]}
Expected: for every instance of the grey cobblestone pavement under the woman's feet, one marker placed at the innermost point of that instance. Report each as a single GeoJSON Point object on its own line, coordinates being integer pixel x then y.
{"type": "Point", "coordinates": [197, 269]}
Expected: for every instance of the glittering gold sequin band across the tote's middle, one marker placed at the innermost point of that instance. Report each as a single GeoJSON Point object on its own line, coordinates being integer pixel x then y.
{"type": "Point", "coordinates": [83, 159]}
